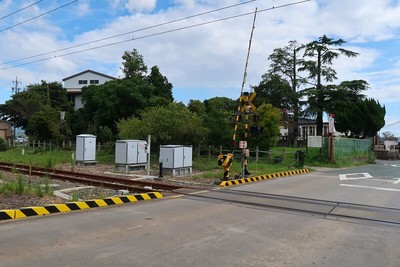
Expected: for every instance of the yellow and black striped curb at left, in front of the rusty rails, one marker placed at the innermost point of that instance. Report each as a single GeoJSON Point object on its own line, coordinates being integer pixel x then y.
{"type": "Point", "coordinates": [72, 206]}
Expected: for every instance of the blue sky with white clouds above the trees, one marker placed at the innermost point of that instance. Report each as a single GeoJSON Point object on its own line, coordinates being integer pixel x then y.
{"type": "Point", "coordinates": [199, 45]}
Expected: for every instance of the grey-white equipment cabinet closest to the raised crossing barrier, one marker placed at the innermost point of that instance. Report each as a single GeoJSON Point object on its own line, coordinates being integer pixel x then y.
{"type": "Point", "coordinates": [176, 156]}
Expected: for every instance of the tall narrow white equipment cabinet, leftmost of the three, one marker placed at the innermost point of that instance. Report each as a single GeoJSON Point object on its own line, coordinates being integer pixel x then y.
{"type": "Point", "coordinates": [85, 148]}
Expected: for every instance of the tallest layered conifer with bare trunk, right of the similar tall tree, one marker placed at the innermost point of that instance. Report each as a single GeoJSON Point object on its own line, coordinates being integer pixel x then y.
{"type": "Point", "coordinates": [319, 56]}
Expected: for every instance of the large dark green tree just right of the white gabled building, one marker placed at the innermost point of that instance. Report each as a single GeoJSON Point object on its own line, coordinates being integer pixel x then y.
{"type": "Point", "coordinates": [108, 103]}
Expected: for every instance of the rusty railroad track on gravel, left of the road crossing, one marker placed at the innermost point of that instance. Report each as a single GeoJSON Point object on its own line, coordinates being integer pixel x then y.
{"type": "Point", "coordinates": [90, 179]}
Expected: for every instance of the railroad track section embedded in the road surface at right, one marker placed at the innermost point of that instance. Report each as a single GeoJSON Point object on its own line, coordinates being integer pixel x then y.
{"type": "Point", "coordinates": [325, 209]}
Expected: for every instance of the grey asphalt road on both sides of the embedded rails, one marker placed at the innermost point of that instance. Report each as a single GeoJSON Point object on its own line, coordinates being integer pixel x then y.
{"type": "Point", "coordinates": [199, 231]}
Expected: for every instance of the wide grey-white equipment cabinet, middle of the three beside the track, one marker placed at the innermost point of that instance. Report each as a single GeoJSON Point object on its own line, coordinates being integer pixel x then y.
{"type": "Point", "coordinates": [129, 152]}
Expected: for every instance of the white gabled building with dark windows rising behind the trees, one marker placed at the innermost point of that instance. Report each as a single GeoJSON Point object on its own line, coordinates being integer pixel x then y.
{"type": "Point", "coordinates": [74, 84]}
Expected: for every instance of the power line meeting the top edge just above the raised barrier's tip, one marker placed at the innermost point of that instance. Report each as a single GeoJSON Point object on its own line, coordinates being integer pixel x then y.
{"type": "Point", "coordinates": [130, 32]}
